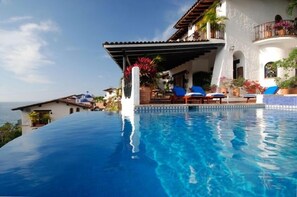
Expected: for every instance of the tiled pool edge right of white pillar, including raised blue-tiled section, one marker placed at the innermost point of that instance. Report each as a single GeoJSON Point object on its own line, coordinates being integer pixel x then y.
{"type": "Point", "coordinates": [270, 101]}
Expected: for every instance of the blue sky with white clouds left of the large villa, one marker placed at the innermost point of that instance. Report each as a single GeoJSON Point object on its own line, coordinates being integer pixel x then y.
{"type": "Point", "coordinates": [53, 48]}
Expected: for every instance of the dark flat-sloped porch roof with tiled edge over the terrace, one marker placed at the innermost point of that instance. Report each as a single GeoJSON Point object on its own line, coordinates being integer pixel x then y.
{"type": "Point", "coordinates": [173, 52]}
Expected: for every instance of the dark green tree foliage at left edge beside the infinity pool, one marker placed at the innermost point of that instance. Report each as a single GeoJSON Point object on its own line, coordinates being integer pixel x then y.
{"type": "Point", "coordinates": [8, 132]}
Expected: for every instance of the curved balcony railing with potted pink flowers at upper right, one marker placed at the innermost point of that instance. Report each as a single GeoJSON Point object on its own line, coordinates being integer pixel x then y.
{"type": "Point", "coordinates": [274, 29]}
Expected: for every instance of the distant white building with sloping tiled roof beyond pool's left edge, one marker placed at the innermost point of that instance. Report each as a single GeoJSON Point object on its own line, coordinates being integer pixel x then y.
{"type": "Point", "coordinates": [39, 114]}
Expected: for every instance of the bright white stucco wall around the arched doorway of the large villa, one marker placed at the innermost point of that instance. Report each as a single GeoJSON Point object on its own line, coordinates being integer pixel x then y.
{"type": "Point", "coordinates": [243, 16]}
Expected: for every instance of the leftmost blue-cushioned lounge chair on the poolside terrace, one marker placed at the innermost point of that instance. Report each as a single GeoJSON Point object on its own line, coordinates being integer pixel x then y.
{"type": "Point", "coordinates": [180, 93]}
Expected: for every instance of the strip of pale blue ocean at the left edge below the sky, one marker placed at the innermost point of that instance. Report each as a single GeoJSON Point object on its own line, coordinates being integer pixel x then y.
{"type": "Point", "coordinates": [7, 115]}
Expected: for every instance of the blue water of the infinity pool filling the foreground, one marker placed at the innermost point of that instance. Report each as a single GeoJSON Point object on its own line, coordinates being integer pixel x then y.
{"type": "Point", "coordinates": [239, 152]}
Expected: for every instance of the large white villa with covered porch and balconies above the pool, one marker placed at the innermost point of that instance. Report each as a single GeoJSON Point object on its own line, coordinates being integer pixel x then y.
{"type": "Point", "coordinates": [243, 43]}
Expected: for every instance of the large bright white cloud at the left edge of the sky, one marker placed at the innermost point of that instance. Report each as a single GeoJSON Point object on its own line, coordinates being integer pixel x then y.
{"type": "Point", "coordinates": [21, 51]}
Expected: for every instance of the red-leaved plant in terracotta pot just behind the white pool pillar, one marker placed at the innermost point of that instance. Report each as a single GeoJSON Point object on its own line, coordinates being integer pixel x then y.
{"type": "Point", "coordinates": [148, 76]}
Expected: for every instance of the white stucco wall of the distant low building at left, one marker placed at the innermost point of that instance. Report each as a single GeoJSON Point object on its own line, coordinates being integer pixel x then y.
{"type": "Point", "coordinates": [58, 111]}
